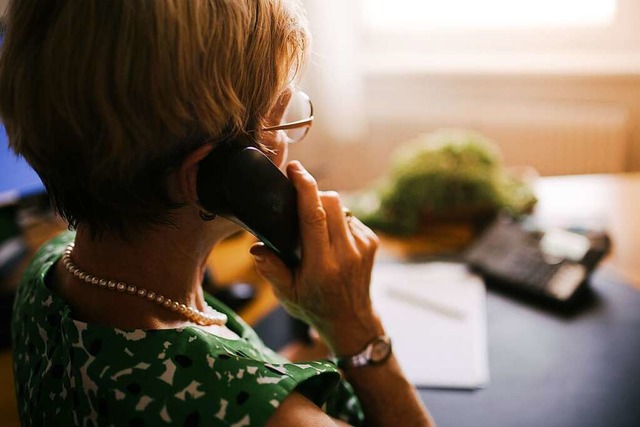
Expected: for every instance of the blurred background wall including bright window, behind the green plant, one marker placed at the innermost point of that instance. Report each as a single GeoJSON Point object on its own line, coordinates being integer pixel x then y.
{"type": "Point", "coordinates": [555, 83]}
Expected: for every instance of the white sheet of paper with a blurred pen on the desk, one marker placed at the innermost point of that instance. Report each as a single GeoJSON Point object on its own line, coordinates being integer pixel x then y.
{"type": "Point", "coordinates": [435, 314]}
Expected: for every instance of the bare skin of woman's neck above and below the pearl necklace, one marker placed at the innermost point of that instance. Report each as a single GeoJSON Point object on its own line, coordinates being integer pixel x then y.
{"type": "Point", "coordinates": [166, 260]}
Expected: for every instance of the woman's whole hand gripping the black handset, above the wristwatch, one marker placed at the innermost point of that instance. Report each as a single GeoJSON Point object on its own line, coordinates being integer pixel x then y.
{"type": "Point", "coordinates": [330, 289]}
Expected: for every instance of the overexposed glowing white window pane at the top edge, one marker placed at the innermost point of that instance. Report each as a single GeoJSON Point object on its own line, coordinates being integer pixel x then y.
{"type": "Point", "coordinates": [485, 14]}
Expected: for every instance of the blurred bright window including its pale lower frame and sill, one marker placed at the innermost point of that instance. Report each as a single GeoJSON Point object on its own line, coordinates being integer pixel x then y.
{"type": "Point", "coordinates": [514, 36]}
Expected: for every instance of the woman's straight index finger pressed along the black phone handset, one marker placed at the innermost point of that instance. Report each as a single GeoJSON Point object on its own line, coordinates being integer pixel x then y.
{"type": "Point", "coordinates": [313, 218]}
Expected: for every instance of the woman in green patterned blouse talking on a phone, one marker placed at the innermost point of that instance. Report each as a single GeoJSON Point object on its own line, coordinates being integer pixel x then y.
{"type": "Point", "coordinates": [115, 104]}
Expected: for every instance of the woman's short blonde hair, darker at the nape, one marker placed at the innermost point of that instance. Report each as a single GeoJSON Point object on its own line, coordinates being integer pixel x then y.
{"type": "Point", "coordinates": [103, 98]}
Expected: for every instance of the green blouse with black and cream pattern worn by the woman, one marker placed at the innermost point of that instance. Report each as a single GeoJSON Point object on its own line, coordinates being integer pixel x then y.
{"type": "Point", "coordinates": [68, 372]}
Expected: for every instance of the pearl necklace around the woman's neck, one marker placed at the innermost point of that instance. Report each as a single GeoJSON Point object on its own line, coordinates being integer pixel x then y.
{"type": "Point", "coordinates": [203, 318]}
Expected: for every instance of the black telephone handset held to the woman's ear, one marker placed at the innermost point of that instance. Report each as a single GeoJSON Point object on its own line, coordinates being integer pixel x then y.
{"type": "Point", "coordinates": [238, 182]}
